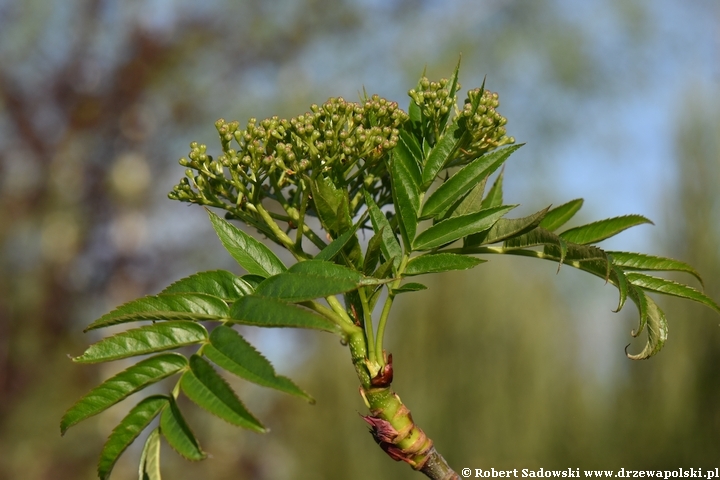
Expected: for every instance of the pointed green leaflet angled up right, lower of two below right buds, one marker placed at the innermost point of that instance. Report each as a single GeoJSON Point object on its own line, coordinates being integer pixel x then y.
{"type": "Point", "coordinates": [455, 228]}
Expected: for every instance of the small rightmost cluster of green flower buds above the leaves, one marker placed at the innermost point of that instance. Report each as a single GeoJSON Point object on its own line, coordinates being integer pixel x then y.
{"type": "Point", "coordinates": [485, 124]}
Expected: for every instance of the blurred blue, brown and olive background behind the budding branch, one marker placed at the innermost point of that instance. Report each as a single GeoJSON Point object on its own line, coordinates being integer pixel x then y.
{"type": "Point", "coordinates": [98, 99]}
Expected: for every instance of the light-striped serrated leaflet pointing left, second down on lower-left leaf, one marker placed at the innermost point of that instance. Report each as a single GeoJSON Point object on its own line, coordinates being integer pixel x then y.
{"type": "Point", "coordinates": [148, 339]}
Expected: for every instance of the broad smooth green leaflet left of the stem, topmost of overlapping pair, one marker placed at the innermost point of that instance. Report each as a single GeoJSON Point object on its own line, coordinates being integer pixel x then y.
{"type": "Point", "coordinates": [310, 280]}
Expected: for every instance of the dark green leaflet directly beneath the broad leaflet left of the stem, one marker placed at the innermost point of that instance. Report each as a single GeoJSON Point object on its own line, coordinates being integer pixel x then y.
{"type": "Point", "coordinates": [270, 312]}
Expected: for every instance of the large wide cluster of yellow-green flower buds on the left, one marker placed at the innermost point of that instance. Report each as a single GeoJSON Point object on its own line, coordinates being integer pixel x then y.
{"type": "Point", "coordinates": [340, 140]}
